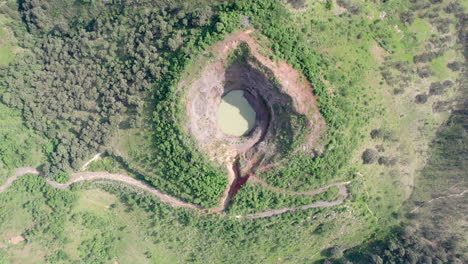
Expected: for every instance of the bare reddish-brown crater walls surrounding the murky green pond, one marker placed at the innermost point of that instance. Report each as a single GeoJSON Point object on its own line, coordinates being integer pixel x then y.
{"type": "Point", "coordinates": [286, 115]}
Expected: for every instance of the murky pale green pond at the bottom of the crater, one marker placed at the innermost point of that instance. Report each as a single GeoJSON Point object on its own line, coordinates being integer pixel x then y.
{"type": "Point", "coordinates": [236, 116]}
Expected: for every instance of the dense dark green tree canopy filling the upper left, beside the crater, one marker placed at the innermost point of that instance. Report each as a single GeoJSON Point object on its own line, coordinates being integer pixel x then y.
{"type": "Point", "coordinates": [94, 70]}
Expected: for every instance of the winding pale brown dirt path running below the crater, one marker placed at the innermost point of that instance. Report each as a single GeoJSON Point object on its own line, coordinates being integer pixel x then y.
{"type": "Point", "coordinates": [224, 201]}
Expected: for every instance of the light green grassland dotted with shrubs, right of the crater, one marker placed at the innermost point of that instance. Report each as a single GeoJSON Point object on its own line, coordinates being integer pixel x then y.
{"type": "Point", "coordinates": [382, 190]}
